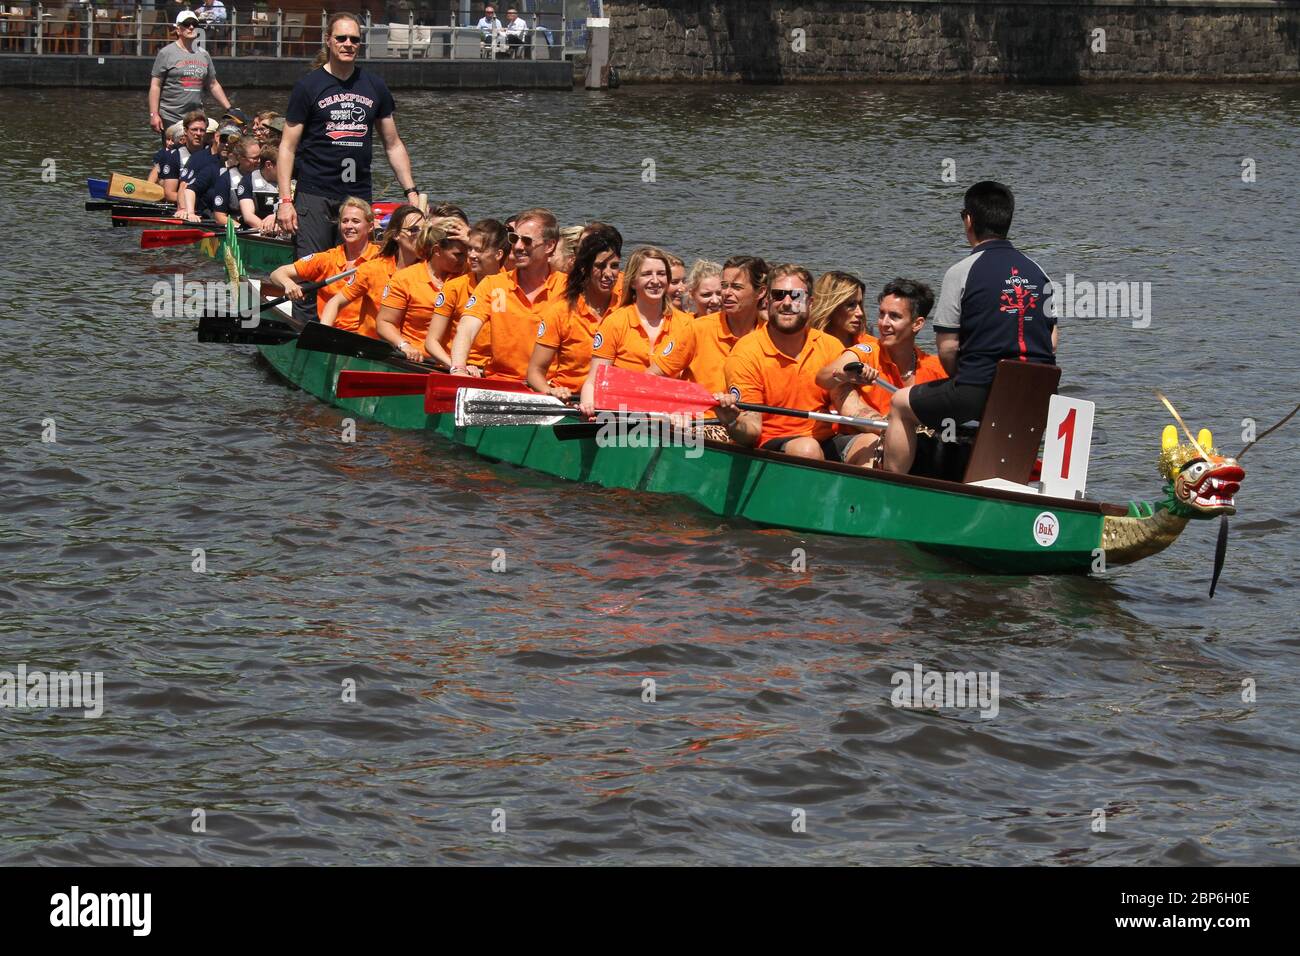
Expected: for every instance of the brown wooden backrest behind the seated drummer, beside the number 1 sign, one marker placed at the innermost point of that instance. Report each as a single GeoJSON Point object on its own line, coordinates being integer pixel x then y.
{"type": "Point", "coordinates": [1012, 426]}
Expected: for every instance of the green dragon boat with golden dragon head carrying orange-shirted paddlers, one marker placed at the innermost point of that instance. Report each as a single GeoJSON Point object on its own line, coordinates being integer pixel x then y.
{"type": "Point", "coordinates": [994, 529]}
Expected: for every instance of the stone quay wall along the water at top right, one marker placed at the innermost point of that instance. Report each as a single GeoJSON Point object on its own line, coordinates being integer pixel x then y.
{"type": "Point", "coordinates": [920, 41]}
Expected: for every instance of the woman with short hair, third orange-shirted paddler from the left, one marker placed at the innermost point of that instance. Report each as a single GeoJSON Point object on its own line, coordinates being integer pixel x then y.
{"type": "Point", "coordinates": [413, 293]}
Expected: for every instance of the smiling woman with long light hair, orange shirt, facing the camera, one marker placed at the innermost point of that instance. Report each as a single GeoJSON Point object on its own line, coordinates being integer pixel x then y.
{"type": "Point", "coordinates": [629, 335]}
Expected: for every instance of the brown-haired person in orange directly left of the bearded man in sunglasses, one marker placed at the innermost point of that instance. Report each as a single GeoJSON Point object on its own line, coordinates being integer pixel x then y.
{"type": "Point", "coordinates": [701, 353]}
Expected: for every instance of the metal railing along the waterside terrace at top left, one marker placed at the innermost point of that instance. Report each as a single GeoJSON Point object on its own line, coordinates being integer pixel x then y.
{"type": "Point", "coordinates": [261, 33]}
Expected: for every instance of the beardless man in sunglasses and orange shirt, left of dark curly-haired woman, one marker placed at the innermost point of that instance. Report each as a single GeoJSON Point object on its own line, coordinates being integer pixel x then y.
{"type": "Point", "coordinates": [512, 302]}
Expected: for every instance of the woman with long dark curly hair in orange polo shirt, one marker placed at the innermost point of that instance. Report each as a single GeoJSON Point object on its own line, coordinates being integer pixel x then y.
{"type": "Point", "coordinates": [562, 354]}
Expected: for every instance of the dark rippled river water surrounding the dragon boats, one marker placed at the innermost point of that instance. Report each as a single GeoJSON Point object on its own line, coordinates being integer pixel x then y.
{"type": "Point", "coordinates": [517, 698]}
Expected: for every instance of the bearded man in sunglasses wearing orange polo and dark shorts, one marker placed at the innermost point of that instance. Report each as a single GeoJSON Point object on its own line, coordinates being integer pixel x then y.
{"type": "Point", "coordinates": [778, 365]}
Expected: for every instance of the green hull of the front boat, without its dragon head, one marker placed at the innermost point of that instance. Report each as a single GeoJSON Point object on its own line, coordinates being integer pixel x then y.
{"type": "Point", "coordinates": [995, 531]}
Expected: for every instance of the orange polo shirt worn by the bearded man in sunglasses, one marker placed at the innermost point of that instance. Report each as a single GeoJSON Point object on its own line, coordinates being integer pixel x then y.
{"type": "Point", "coordinates": [764, 375]}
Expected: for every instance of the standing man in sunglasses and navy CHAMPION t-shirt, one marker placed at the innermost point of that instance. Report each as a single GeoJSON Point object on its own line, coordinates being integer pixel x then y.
{"type": "Point", "coordinates": [327, 145]}
